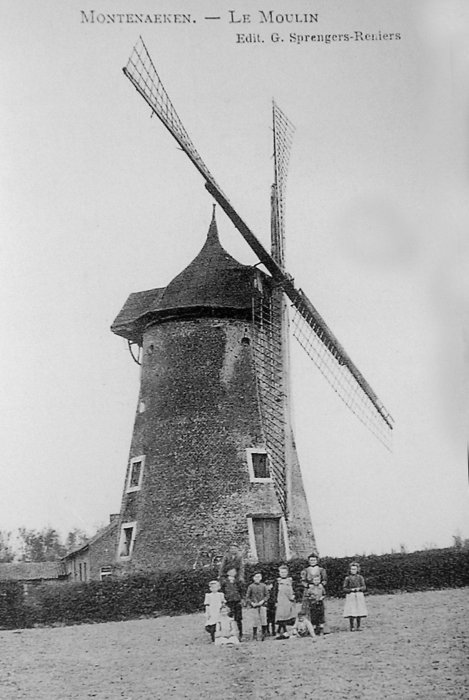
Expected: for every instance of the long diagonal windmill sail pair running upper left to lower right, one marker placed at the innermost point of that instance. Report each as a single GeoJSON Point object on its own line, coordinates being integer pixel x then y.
{"type": "Point", "coordinates": [309, 327]}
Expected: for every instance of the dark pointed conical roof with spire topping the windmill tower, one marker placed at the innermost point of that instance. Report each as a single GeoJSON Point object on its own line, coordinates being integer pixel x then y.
{"type": "Point", "coordinates": [213, 279]}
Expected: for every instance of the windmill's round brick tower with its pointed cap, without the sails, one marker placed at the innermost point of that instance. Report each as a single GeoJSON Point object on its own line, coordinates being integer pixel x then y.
{"type": "Point", "coordinates": [200, 474]}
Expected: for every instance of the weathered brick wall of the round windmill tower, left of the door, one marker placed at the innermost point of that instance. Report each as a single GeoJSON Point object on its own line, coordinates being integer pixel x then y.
{"type": "Point", "coordinates": [197, 413]}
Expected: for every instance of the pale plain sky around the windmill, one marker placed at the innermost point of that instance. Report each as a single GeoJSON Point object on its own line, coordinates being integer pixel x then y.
{"type": "Point", "coordinates": [98, 202]}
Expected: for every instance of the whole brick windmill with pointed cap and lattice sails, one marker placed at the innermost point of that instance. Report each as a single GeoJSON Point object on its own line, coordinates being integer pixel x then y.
{"type": "Point", "coordinates": [269, 515]}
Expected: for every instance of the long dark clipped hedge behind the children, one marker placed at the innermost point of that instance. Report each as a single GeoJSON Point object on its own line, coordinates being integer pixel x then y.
{"type": "Point", "coordinates": [143, 595]}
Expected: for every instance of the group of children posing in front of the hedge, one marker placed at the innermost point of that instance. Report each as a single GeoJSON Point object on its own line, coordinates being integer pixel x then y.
{"type": "Point", "coordinates": [271, 608]}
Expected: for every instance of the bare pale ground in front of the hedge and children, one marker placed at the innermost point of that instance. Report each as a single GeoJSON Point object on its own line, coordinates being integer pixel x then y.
{"type": "Point", "coordinates": [413, 645]}
